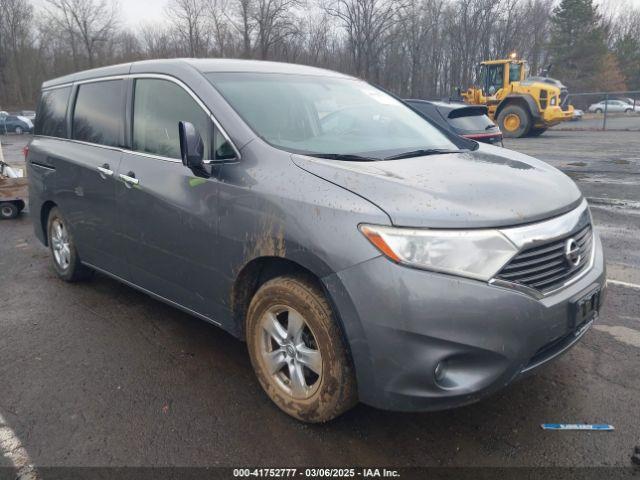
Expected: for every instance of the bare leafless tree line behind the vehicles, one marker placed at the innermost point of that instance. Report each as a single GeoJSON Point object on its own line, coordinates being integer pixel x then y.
{"type": "Point", "coordinates": [414, 48]}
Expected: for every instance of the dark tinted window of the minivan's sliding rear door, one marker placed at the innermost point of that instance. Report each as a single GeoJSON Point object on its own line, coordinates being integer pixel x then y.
{"type": "Point", "coordinates": [97, 116]}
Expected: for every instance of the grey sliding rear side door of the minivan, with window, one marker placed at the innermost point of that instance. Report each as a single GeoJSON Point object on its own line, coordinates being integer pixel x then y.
{"type": "Point", "coordinates": [86, 176]}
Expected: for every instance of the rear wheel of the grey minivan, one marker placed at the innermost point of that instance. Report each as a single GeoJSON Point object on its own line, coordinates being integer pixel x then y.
{"type": "Point", "coordinates": [64, 254]}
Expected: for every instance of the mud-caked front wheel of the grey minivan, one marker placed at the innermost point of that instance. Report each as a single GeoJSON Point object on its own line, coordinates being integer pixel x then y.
{"type": "Point", "coordinates": [312, 395]}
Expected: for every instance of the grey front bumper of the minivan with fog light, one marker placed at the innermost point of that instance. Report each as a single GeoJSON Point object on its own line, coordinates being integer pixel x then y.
{"type": "Point", "coordinates": [402, 323]}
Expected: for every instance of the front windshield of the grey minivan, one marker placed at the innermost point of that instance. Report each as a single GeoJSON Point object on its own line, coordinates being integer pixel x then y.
{"type": "Point", "coordinates": [326, 115]}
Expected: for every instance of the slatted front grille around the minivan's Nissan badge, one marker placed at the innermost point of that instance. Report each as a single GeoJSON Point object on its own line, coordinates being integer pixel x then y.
{"type": "Point", "coordinates": [545, 266]}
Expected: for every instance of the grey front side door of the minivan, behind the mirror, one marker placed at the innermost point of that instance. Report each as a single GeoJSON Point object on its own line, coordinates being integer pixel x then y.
{"type": "Point", "coordinates": [170, 215]}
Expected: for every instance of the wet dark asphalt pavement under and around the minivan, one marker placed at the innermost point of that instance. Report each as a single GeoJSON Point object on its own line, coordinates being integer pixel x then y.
{"type": "Point", "coordinates": [98, 374]}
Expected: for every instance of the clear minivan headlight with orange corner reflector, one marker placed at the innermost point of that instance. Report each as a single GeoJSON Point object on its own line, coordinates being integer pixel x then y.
{"type": "Point", "coordinates": [478, 254]}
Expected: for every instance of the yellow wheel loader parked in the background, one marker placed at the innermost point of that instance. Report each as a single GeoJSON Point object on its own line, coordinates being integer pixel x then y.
{"type": "Point", "coordinates": [520, 105]}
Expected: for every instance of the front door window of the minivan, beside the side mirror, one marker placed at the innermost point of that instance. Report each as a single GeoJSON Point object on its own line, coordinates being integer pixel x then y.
{"type": "Point", "coordinates": [155, 123]}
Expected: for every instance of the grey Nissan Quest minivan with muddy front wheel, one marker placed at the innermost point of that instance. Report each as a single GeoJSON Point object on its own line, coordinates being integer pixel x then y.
{"type": "Point", "coordinates": [363, 253]}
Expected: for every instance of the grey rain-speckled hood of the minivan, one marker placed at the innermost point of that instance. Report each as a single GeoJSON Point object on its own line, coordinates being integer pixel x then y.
{"type": "Point", "coordinates": [489, 187]}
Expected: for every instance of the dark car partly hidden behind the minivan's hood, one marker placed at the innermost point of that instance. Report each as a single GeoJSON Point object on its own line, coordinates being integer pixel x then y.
{"type": "Point", "coordinates": [470, 121]}
